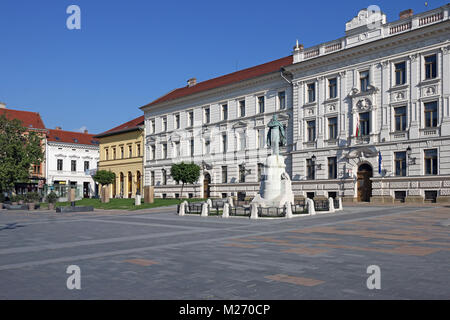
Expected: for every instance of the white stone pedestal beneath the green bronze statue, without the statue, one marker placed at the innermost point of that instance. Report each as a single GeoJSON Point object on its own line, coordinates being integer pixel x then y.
{"type": "Point", "coordinates": [276, 187]}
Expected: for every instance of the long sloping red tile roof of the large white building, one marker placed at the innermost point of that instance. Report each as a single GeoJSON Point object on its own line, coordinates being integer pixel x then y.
{"type": "Point", "coordinates": [231, 78]}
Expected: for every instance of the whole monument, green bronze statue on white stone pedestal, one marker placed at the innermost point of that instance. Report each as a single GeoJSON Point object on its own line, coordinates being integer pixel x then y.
{"type": "Point", "coordinates": [276, 187]}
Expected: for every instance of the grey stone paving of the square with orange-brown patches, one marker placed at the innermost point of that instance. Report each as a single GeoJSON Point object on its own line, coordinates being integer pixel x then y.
{"type": "Point", "coordinates": [155, 254]}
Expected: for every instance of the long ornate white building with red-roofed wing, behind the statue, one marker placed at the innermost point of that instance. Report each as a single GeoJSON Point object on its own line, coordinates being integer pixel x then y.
{"type": "Point", "coordinates": [367, 115]}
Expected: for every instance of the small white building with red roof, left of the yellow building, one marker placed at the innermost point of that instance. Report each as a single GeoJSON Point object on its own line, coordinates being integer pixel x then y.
{"type": "Point", "coordinates": [71, 159]}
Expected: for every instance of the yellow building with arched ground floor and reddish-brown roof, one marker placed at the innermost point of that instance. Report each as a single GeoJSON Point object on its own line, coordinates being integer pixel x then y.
{"type": "Point", "coordinates": [122, 152]}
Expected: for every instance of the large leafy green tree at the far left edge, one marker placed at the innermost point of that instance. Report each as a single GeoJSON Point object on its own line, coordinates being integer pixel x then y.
{"type": "Point", "coordinates": [19, 150]}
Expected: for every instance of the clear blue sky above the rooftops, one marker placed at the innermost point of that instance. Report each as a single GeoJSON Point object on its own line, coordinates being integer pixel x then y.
{"type": "Point", "coordinates": [129, 53]}
